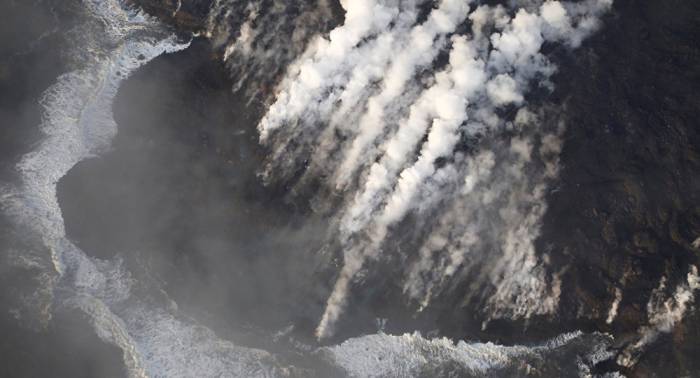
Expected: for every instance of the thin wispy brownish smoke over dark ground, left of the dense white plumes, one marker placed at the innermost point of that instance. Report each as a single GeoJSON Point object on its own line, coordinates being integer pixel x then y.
{"type": "Point", "coordinates": [259, 39]}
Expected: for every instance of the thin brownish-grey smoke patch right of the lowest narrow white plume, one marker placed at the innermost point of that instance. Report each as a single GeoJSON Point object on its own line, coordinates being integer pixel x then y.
{"type": "Point", "coordinates": [499, 206]}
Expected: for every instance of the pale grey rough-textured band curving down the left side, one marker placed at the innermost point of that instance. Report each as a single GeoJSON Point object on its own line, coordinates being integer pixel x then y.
{"type": "Point", "coordinates": [78, 123]}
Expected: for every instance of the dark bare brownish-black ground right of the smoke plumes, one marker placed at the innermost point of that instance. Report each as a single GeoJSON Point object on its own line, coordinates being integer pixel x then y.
{"type": "Point", "coordinates": [628, 207]}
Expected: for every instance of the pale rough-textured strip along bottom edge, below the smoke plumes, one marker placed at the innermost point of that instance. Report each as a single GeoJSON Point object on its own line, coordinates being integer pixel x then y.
{"type": "Point", "coordinates": [411, 355]}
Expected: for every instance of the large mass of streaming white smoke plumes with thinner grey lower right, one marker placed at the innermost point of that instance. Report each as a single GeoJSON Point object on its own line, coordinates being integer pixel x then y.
{"type": "Point", "coordinates": [410, 107]}
